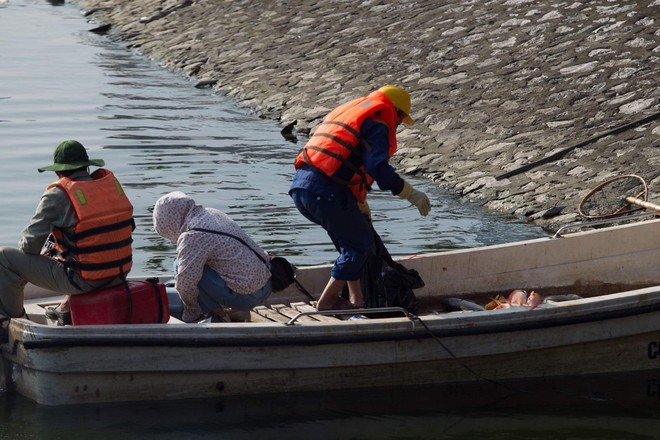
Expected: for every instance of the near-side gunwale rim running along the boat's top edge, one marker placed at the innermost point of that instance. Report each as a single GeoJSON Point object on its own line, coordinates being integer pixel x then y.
{"type": "Point", "coordinates": [513, 319]}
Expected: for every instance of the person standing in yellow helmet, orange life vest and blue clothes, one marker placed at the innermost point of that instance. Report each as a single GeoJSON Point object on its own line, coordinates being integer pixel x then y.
{"type": "Point", "coordinates": [350, 150]}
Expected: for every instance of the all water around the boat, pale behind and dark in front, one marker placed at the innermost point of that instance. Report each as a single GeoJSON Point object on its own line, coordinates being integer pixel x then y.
{"type": "Point", "coordinates": [158, 133]}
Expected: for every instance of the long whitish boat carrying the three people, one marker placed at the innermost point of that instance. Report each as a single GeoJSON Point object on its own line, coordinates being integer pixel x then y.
{"type": "Point", "coordinates": [289, 347]}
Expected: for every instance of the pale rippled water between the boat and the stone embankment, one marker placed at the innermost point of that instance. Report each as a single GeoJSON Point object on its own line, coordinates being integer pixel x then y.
{"type": "Point", "coordinates": [158, 133]}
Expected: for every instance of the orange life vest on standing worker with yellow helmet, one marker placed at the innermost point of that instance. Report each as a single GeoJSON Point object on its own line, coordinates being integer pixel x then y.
{"type": "Point", "coordinates": [337, 142]}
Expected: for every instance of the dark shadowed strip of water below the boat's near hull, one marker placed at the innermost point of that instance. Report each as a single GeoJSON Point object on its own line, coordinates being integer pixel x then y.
{"type": "Point", "coordinates": [602, 407]}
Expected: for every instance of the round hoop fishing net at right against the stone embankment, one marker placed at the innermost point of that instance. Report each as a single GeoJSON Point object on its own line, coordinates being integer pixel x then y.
{"type": "Point", "coordinates": [609, 198]}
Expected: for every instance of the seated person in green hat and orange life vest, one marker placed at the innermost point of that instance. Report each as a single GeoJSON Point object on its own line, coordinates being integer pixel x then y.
{"type": "Point", "coordinates": [78, 240]}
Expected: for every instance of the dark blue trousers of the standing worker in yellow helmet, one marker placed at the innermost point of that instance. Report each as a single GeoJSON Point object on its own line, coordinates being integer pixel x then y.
{"type": "Point", "coordinates": [346, 226]}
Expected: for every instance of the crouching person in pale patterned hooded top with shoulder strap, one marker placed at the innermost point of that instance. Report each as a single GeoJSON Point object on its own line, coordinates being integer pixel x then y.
{"type": "Point", "coordinates": [214, 272]}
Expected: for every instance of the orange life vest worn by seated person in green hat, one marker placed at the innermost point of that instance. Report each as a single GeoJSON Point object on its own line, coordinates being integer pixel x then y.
{"type": "Point", "coordinates": [99, 245]}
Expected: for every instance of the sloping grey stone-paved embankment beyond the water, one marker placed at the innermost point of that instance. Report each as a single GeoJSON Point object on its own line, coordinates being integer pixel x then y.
{"type": "Point", "coordinates": [520, 105]}
